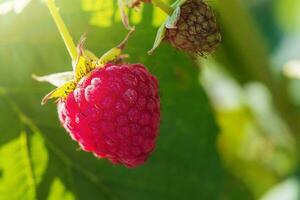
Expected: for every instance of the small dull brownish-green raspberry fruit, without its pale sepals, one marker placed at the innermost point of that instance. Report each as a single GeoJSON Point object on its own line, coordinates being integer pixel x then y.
{"type": "Point", "coordinates": [196, 30]}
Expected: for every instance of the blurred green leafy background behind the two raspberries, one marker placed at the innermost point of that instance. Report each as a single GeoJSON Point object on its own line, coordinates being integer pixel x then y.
{"type": "Point", "coordinates": [230, 122]}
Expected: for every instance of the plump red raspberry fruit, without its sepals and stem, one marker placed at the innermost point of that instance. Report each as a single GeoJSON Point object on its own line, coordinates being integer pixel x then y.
{"type": "Point", "coordinates": [114, 112]}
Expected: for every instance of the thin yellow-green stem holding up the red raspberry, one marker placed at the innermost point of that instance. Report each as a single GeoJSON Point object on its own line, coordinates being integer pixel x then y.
{"type": "Point", "coordinates": [63, 30]}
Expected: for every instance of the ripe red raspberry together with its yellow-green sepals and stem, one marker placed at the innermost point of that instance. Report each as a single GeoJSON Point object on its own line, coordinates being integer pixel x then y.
{"type": "Point", "coordinates": [110, 108]}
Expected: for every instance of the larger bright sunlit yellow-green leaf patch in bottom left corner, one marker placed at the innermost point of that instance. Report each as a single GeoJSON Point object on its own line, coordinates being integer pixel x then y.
{"type": "Point", "coordinates": [23, 162]}
